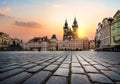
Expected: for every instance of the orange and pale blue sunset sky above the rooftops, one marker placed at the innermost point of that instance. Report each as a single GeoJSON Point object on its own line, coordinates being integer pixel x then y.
{"type": "Point", "coordinates": [25, 19]}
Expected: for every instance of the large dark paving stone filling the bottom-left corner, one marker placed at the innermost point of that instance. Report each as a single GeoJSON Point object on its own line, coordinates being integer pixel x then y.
{"type": "Point", "coordinates": [17, 79]}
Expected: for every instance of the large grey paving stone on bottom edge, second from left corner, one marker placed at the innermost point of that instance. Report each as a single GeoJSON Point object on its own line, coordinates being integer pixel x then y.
{"type": "Point", "coordinates": [38, 78]}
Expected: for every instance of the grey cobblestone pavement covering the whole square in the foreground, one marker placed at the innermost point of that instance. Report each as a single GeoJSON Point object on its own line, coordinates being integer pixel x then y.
{"type": "Point", "coordinates": [83, 67]}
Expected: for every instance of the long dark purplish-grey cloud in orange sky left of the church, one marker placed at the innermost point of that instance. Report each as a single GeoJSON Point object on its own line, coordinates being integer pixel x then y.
{"type": "Point", "coordinates": [27, 24]}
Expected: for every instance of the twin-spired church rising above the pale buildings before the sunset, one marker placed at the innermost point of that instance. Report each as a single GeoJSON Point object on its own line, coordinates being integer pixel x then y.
{"type": "Point", "coordinates": [70, 33]}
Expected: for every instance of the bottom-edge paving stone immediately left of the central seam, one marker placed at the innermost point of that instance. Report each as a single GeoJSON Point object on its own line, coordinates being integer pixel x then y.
{"type": "Point", "coordinates": [57, 80]}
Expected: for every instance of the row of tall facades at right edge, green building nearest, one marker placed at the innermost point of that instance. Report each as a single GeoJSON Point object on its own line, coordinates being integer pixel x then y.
{"type": "Point", "coordinates": [110, 34]}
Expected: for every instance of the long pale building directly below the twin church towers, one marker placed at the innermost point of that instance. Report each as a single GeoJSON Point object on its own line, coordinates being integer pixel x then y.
{"type": "Point", "coordinates": [73, 44]}
